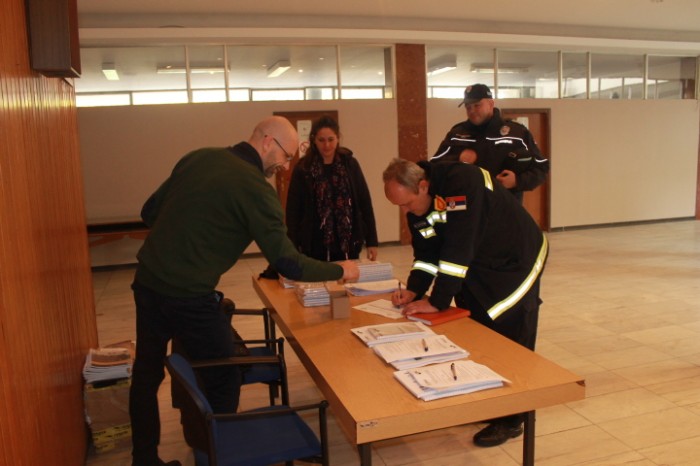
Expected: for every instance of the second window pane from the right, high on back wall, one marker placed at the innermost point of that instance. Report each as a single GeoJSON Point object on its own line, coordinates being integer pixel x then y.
{"type": "Point", "coordinates": [617, 76]}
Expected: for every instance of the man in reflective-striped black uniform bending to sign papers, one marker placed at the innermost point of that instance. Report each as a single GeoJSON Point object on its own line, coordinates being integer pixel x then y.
{"type": "Point", "coordinates": [474, 242]}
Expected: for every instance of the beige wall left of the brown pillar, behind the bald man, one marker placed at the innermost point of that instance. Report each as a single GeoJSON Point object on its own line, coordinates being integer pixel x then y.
{"type": "Point", "coordinates": [128, 151]}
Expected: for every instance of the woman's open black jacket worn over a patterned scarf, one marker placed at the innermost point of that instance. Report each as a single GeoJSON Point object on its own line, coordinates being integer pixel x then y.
{"type": "Point", "coordinates": [302, 219]}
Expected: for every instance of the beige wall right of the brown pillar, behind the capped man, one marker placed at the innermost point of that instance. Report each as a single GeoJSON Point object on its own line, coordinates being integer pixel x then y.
{"type": "Point", "coordinates": [612, 161]}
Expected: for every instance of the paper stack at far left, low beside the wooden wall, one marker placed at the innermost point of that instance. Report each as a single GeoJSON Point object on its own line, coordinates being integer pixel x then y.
{"type": "Point", "coordinates": [108, 363]}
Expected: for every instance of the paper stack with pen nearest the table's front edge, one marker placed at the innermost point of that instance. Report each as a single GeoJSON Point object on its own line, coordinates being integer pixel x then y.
{"type": "Point", "coordinates": [449, 379]}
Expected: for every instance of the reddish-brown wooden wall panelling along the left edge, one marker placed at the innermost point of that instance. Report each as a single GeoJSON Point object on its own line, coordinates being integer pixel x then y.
{"type": "Point", "coordinates": [47, 319]}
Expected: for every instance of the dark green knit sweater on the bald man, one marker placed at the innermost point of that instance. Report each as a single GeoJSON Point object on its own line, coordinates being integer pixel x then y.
{"type": "Point", "coordinates": [213, 205]}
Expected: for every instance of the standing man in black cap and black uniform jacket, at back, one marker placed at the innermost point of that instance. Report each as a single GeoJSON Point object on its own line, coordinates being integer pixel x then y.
{"type": "Point", "coordinates": [497, 143]}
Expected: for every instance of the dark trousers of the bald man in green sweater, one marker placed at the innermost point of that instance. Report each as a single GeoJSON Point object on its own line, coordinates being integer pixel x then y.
{"type": "Point", "coordinates": [205, 333]}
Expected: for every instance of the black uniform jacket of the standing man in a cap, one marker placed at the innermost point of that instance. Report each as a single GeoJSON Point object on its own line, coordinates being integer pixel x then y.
{"type": "Point", "coordinates": [497, 143]}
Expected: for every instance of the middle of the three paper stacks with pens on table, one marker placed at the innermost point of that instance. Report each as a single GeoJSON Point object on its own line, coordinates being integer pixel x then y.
{"type": "Point", "coordinates": [419, 352]}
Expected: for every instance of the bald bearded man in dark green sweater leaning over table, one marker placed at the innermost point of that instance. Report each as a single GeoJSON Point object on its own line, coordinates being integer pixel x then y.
{"type": "Point", "coordinates": [214, 204]}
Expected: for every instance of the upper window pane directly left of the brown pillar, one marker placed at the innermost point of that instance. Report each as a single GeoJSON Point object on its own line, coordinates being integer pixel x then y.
{"type": "Point", "coordinates": [365, 67]}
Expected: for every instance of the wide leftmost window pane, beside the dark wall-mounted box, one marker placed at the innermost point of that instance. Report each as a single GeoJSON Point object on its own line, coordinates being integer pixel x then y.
{"type": "Point", "coordinates": [137, 68]}
